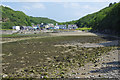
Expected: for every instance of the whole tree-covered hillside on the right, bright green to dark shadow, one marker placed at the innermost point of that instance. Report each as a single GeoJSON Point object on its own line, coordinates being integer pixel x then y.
{"type": "Point", "coordinates": [107, 18]}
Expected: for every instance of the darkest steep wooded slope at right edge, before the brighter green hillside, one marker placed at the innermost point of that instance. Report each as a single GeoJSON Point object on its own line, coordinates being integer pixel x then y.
{"type": "Point", "coordinates": [112, 20]}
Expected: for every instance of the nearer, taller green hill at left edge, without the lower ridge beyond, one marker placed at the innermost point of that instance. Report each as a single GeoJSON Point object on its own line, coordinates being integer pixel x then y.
{"type": "Point", "coordinates": [11, 18]}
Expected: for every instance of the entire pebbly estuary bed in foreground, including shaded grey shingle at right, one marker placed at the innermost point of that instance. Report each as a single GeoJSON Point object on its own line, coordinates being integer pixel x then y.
{"type": "Point", "coordinates": [72, 56]}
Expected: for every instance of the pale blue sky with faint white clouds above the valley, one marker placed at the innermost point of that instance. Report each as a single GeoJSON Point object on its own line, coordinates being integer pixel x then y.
{"type": "Point", "coordinates": [60, 11]}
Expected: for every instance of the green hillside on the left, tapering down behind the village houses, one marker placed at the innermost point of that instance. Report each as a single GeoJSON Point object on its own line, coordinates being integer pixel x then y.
{"type": "Point", "coordinates": [18, 18]}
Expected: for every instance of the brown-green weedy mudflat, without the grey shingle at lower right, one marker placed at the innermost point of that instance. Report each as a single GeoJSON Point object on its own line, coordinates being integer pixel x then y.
{"type": "Point", "coordinates": [51, 57]}
